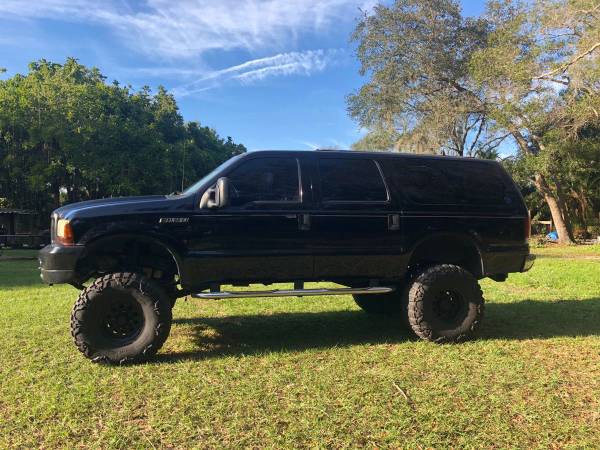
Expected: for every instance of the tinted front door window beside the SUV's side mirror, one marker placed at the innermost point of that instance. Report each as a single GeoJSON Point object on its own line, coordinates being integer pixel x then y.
{"type": "Point", "coordinates": [265, 180]}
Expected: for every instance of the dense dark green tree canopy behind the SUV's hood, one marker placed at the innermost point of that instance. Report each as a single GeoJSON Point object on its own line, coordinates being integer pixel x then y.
{"type": "Point", "coordinates": [67, 135]}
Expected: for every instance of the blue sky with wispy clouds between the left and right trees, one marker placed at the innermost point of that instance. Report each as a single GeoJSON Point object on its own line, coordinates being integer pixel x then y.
{"type": "Point", "coordinates": [272, 74]}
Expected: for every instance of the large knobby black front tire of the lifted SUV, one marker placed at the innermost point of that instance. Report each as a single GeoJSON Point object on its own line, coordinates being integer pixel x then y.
{"type": "Point", "coordinates": [121, 318]}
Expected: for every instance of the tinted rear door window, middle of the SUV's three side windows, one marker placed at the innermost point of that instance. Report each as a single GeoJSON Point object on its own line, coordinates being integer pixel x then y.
{"type": "Point", "coordinates": [357, 180]}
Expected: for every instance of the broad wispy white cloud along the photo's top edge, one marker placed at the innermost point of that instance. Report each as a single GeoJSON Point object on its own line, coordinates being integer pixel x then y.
{"type": "Point", "coordinates": [191, 28]}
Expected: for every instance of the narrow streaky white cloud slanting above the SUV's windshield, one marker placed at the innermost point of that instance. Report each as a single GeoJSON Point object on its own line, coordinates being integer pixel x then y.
{"type": "Point", "coordinates": [291, 63]}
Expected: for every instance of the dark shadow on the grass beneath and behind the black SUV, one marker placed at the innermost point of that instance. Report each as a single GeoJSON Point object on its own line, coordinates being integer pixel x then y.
{"type": "Point", "coordinates": [254, 334]}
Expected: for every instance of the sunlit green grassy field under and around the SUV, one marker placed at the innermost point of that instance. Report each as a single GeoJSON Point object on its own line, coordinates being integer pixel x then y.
{"type": "Point", "coordinates": [313, 372]}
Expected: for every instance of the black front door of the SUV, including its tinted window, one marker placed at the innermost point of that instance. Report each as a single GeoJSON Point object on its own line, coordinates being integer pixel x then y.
{"type": "Point", "coordinates": [258, 236]}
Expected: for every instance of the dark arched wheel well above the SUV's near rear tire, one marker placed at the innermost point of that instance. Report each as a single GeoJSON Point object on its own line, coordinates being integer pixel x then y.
{"type": "Point", "coordinates": [451, 249]}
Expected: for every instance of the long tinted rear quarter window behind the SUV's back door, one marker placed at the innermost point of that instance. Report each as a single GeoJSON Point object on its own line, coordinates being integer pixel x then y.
{"type": "Point", "coordinates": [451, 182]}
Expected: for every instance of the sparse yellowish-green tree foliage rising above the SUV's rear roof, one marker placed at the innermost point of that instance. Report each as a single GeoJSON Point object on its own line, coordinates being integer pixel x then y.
{"type": "Point", "coordinates": [420, 93]}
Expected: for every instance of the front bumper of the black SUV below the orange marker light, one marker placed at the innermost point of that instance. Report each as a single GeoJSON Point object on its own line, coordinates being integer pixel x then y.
{"type": "Point", "coordinates": [58, 263]}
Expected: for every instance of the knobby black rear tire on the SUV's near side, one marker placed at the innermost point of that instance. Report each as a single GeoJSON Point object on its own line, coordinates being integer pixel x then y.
{"type": "Point", "coordinates": [445, 304]}
